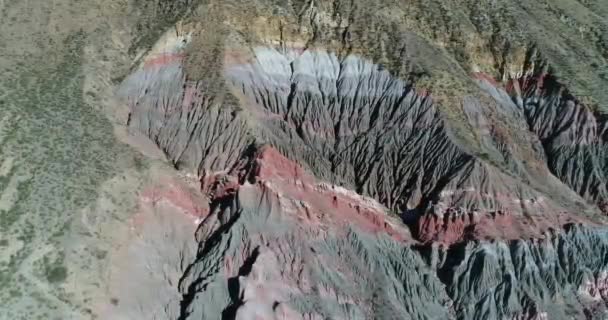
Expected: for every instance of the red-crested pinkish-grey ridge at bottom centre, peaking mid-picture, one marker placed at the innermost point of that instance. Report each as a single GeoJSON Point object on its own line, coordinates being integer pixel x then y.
{"type": "Point", "coordinates": [283, 245]}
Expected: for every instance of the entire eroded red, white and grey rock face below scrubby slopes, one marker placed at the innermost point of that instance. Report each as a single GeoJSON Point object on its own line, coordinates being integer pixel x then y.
{"type": "Point", "coordinates": [339, 188]}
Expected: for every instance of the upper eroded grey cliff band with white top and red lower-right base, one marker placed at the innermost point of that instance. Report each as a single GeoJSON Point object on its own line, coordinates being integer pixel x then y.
{"type": "Point", "coordinates": [355, 125]}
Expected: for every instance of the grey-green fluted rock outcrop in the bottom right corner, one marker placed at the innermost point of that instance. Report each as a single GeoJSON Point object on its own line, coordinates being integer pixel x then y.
{"type": "Point", "coordinates": [550, 278]}
